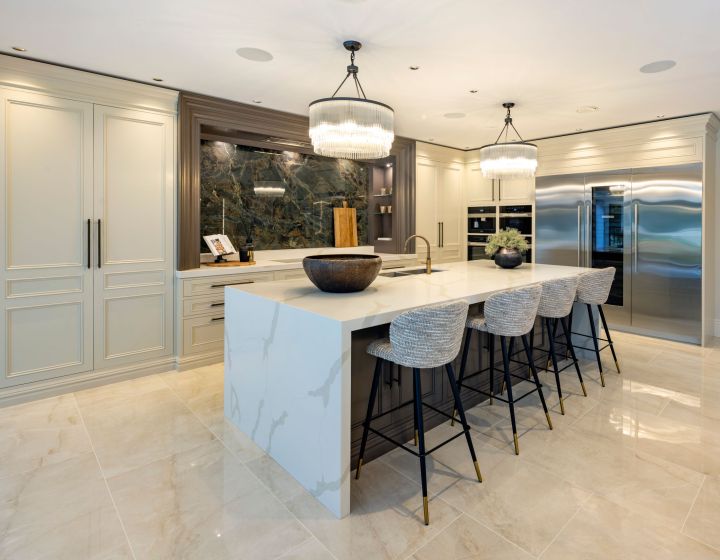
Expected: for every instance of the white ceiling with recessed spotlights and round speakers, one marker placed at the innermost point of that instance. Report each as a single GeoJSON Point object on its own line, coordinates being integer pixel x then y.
{"type": "Point", "coordinates": [549, 56]}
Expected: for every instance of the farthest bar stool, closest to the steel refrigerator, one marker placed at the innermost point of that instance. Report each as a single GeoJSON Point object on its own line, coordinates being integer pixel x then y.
{"type": "Point", "coordinates": [594, 289]}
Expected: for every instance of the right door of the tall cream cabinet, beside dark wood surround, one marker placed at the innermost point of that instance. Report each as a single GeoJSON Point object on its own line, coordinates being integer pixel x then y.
{"type": "Point", "coordinates": [134, 178]}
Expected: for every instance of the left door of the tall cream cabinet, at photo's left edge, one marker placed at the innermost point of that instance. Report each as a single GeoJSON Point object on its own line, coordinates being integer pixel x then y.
{"type": "Point", "coordinates": [47, 201]}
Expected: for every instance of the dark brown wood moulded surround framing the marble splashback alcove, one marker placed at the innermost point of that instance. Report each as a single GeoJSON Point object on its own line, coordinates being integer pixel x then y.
{"type": "Point", "coordinates": [204, 116]}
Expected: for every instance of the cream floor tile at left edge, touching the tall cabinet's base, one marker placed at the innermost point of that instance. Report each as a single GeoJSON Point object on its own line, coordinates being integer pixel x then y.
{"type": "Point", "coordinates": [40, 433]}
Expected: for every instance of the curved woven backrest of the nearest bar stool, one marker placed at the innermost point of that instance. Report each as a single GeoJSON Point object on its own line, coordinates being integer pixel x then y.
{"type": "Point", "coordinates": [428, 337]}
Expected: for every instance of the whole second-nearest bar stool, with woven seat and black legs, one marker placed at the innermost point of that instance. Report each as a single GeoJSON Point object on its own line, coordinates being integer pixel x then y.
{"type": "Point", "coordinates": [506, 315]}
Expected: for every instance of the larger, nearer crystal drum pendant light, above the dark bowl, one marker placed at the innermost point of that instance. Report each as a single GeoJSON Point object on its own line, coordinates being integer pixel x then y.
{"type": "Point", "coordinates": [351, 127]}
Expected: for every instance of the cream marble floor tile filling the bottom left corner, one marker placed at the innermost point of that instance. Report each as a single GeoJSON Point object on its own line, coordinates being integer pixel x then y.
{"type": "Point", "coordinates": [60, 511]}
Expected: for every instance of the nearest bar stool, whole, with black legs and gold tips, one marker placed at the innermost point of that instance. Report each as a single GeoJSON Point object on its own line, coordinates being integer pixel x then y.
{"type": "Point", "coordinates": [423, 338]}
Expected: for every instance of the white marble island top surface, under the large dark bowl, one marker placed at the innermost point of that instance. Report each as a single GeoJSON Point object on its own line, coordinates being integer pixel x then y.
{"type": "Point", "coordinates": [472, 281]}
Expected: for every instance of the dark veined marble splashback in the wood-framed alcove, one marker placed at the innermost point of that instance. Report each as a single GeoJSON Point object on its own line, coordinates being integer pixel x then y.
{"type": "Point", "coordinates": [251, 182]}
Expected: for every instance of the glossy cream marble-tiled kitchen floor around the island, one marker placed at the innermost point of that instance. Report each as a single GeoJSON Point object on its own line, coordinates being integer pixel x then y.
{"type": "Point", "coordinates": [149, 469]}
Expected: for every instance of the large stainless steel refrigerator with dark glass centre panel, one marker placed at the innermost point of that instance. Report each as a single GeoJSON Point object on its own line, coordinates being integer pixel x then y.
{"type": "Point", "coordinates": [647, 223]}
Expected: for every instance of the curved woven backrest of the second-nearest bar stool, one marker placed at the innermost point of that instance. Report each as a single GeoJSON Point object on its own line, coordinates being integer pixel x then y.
{"type": "Point", "coordinates": [513, 312]}
